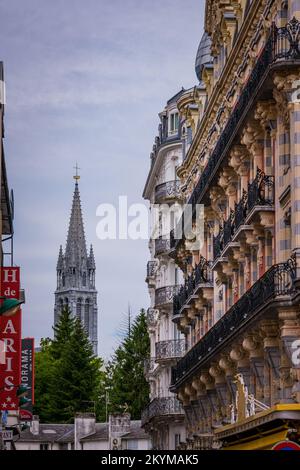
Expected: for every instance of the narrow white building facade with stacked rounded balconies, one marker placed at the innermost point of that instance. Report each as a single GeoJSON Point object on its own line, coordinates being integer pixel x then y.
{"type": "Point", "coordinates": [163, 418]}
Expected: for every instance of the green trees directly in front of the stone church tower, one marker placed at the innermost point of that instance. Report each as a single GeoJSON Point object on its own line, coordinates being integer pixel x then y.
{"type": "Point", "coordinates": [68, 375]}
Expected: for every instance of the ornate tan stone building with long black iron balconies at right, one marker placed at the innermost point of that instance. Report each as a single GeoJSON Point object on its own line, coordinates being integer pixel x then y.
{"type": "Point", "coordinates": [238, 307]}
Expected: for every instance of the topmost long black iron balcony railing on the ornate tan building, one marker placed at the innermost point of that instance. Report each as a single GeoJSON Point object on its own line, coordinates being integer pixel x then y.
{"type": "Point", "coordinates": [282, 48]}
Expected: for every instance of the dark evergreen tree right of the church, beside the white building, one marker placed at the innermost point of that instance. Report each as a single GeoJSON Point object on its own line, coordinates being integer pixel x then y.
{"type": "Point", "coordinates": [129, 390]}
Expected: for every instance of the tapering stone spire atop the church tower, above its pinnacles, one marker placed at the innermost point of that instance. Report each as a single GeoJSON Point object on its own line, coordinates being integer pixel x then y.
{"type": "Point", "coordinates": [76, 246]}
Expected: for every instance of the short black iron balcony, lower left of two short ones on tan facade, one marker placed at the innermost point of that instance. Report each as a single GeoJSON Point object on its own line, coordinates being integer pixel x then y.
{"type": "Point", "coordinates": [202, 274]}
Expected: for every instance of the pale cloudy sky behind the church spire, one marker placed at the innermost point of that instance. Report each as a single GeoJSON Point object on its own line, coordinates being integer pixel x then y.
{"type": "Point", "coordinates": [85, 82]}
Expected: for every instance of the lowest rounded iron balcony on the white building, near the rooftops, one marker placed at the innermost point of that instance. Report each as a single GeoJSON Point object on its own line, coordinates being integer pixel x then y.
{"type": "Point", "coordinates": [168, 407]}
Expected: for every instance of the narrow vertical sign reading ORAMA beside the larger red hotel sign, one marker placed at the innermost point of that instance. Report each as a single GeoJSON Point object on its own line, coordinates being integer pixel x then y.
{"type": "Point", "coordinates": [27, 376]}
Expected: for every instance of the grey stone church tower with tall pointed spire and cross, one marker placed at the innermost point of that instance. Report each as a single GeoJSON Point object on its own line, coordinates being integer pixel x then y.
{"type": "Point", "coordinates": [76, 274]}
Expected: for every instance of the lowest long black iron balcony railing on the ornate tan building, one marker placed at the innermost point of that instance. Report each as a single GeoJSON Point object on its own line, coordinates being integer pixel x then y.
{"type": "Point", "coordinates": [277, 281]}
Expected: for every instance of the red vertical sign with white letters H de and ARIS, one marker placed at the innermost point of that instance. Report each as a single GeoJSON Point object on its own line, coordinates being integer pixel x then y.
{"type": "Point", "coordinates": [10, 333]}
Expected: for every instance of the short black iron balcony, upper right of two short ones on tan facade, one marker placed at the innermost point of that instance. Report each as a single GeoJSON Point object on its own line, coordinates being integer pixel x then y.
{"type": "Point", "coordinates": [260, 196]}
